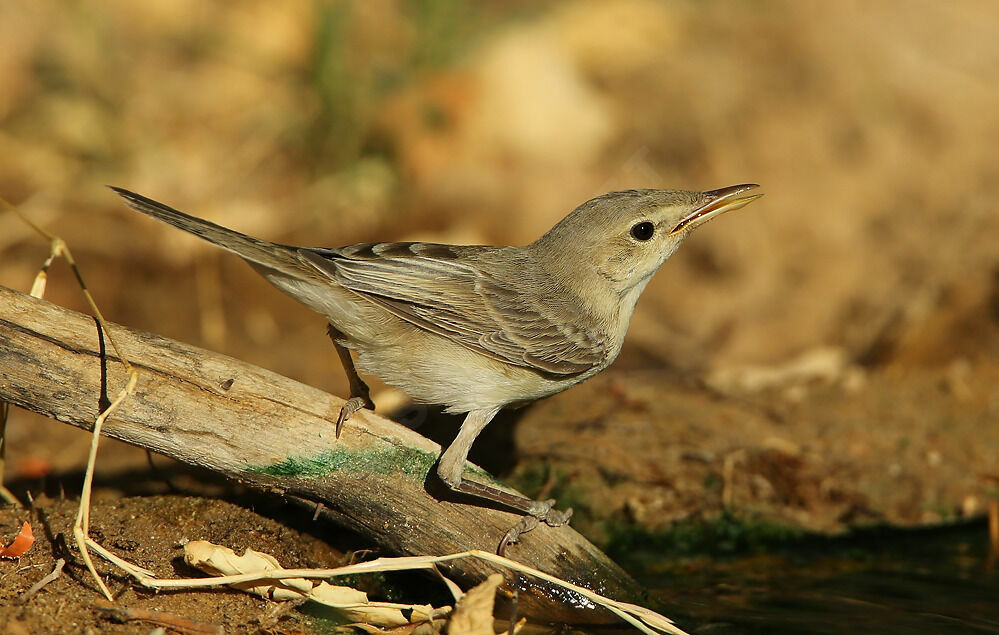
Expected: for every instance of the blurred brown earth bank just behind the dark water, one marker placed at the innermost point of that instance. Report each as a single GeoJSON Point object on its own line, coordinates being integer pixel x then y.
{"type": "Point", "coordinates": [904, 447]}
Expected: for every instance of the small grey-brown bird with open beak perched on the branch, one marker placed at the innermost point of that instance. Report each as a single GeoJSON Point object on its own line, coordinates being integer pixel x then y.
{"type": "Point", "coordinates": [480, 328]}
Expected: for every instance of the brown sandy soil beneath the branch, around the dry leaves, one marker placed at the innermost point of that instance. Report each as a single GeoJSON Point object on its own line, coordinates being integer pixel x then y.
{"type": "Point", "coordinates": [148, 531]}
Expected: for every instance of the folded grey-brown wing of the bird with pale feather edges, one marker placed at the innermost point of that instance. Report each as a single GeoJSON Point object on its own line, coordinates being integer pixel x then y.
{"type": "Point", "coordinates": [433, 288]}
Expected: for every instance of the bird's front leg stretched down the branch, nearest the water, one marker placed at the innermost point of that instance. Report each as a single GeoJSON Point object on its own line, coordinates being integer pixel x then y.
{"type": "Point", "coordinates": [451, 468]}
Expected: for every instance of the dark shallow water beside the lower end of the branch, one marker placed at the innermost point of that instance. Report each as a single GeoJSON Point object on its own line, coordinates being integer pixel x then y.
{"type": "Point", "coordinates": [880, 581]}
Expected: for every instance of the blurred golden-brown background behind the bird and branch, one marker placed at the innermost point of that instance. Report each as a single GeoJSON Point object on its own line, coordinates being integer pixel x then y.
{"type": "Point", "coordinates": [825, 355]}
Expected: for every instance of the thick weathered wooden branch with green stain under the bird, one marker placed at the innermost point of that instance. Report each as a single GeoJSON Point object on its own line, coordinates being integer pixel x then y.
{"type": "Point", "coordinates": [271, 432]}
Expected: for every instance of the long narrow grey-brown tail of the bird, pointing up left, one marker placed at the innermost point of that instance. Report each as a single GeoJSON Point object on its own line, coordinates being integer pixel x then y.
{"type": "Point", "coordinates": [259, 252]}
